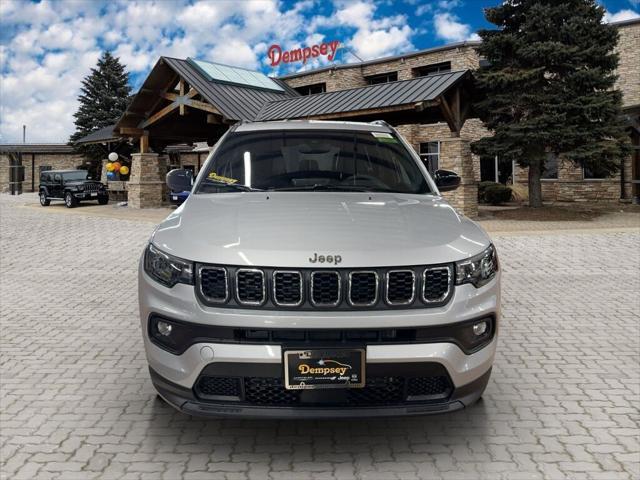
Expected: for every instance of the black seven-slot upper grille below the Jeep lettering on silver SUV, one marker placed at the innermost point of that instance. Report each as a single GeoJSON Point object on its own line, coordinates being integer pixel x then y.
{"type": "Point", "coordinates": [308, 289]}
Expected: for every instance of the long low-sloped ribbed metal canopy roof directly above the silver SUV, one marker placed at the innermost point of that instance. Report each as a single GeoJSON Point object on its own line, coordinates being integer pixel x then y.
{"type": "Point", "coordinates": [383, 95]}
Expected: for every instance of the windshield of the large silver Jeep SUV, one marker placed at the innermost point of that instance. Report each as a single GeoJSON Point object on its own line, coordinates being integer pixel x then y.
{"type": "Point", "coordinates": [306, 160]}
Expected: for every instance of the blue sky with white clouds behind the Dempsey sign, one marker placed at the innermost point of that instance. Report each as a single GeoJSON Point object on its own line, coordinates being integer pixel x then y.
{"type": "Point", "coordinates": [47, 47]}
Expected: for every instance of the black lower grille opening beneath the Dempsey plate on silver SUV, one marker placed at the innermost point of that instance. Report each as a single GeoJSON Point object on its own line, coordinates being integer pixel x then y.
{"type": "Point", "coordinates": [378, 391]}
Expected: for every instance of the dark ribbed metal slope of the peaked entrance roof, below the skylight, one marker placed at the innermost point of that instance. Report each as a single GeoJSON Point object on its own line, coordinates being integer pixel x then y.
{"type": "Point", "coordinates": [234, 102]}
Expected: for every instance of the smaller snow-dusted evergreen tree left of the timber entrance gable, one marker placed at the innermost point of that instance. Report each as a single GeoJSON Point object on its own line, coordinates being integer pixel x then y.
{"type": "Point", "coordinates": [104, 98]}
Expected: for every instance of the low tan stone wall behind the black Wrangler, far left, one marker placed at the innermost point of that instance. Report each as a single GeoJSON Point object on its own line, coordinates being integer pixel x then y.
{"type": "Point", "coordinates": [57, 161]}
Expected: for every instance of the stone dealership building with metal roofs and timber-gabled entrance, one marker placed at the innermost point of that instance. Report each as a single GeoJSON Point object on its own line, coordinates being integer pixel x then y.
{"type": "Point", "coordinates": [426, 94]}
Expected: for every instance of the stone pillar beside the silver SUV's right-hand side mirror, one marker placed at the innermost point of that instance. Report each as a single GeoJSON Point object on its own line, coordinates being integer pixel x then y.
{"type": "Point", "coordinates": [455, 155]}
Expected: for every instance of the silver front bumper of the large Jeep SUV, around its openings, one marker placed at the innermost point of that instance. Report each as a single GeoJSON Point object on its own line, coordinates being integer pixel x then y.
{"type": "Point", "coordinates": [176, 376]}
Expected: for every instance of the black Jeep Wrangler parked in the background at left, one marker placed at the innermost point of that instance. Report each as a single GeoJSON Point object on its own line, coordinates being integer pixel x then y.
{"type": "Point", "coordinates": [70, 186]}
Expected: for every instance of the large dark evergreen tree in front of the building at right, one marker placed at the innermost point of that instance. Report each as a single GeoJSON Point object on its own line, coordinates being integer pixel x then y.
{"type": "Point", "coordinates": [548, 87]}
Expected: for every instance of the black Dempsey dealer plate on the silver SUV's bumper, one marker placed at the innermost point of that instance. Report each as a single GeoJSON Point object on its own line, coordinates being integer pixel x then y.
{"type": "Point", "coordinates": [324, 368]}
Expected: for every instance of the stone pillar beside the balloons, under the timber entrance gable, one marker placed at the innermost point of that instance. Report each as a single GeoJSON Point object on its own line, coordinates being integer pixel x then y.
{"type": "Point", "coordinates": [146, 186]}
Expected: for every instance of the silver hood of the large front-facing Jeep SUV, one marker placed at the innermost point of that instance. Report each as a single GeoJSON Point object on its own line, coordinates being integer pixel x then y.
{"type": "Point", "coordinates": [286, 229]}
